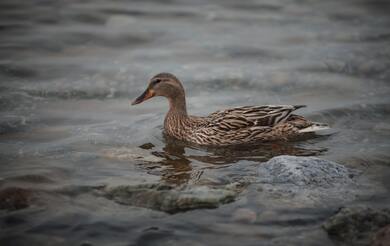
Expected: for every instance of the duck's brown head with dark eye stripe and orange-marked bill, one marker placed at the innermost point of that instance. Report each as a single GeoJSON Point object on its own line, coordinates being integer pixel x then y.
{"type": "Point", "coordinates": [162, 84]}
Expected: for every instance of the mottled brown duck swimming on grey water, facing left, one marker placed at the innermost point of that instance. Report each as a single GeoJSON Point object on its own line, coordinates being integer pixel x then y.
{"type": "Point", "coordinates": [233, 126]}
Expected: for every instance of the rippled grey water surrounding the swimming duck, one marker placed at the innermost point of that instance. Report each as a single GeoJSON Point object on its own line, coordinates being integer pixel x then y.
{"type": "Point", "coordinates": [69, 68]}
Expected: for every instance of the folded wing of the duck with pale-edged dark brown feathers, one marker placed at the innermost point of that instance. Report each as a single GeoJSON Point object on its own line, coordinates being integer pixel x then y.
{"type": "Point", "coordinates": [251, 116]}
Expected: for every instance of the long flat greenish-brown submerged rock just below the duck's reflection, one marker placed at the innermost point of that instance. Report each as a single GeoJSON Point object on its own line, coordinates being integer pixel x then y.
{"type": "Point", "coordinates": [171, 199]}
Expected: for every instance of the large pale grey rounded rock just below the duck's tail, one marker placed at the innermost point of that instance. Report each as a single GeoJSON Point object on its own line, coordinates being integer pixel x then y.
{"type": "Point", "coordinates": [306, 181]}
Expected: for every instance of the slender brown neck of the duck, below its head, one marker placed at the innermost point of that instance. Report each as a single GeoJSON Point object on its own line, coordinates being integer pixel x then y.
{"type": "Point", "coordinates": [177, 117]}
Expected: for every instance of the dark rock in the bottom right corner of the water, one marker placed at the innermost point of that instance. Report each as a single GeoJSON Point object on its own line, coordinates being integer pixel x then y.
{"type": "Point", "coordinates": [358, 226]}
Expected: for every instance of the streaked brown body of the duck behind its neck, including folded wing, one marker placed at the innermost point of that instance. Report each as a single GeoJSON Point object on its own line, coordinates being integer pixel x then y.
{"type": "Point", "coordinates": [248, 124]}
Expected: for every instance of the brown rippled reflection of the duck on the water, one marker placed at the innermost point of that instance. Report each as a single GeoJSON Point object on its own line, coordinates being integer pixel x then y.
{"type": "Point", "coordinates": [186, 163]}
